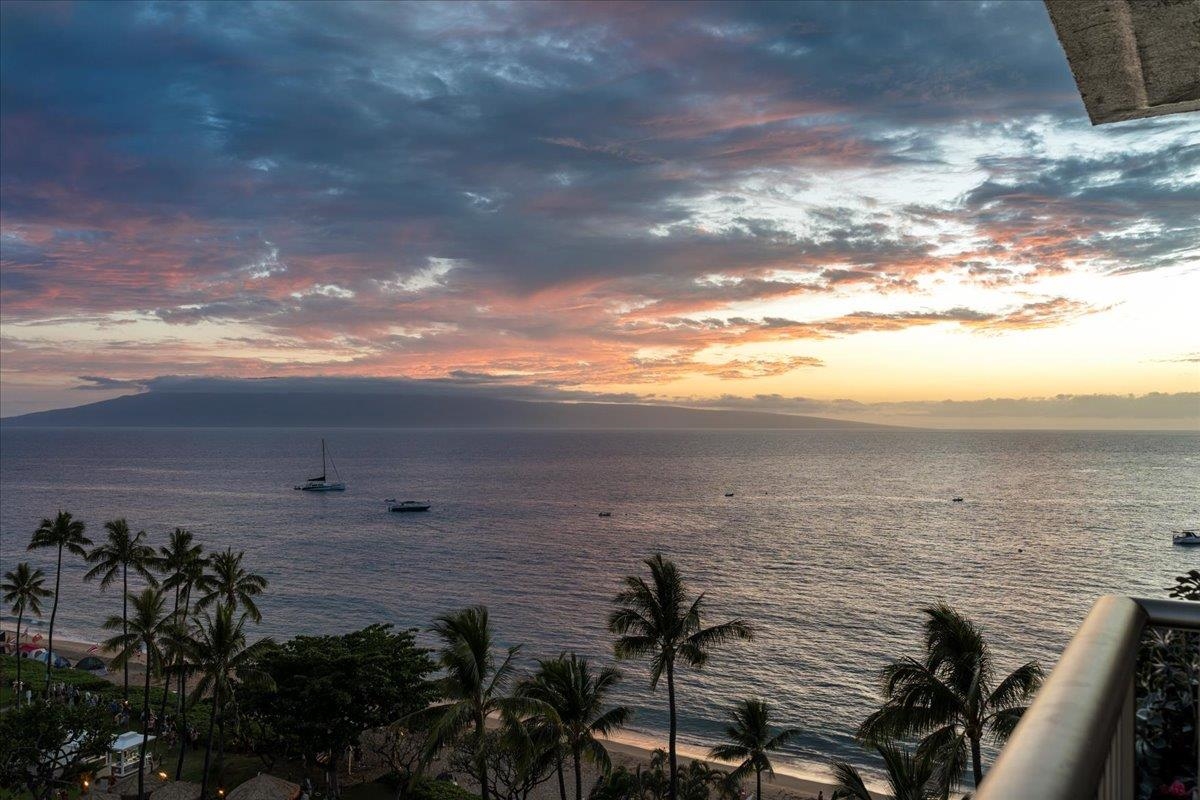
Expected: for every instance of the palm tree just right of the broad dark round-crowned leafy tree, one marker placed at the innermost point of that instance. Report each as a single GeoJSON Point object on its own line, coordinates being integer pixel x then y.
{"type": "Point", "coordinates": [473, 685]}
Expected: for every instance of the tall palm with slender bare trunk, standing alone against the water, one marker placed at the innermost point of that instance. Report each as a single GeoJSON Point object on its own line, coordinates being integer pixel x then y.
{"type": "Point", "coordinates": [658, 621]}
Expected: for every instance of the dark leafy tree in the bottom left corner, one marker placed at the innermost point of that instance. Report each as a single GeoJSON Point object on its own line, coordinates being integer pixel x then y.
{"type": "Point", "coordinates": [47, 747]}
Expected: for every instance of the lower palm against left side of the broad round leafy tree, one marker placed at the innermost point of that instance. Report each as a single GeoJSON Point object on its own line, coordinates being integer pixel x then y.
{"type": "Point", "coordinates": [220, 653]}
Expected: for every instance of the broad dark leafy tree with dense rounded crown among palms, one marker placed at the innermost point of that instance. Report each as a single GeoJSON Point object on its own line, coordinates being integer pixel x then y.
{"type": "Point", "coordinates": [327, 691]}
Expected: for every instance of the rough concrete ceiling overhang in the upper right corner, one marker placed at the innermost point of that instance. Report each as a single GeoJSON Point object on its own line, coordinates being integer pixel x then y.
{"type": "Point", "coordinates": [1132, 58]}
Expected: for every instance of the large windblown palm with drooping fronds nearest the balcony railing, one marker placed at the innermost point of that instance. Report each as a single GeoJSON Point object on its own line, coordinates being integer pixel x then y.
{"type": "Point", "coordinates": [951, 696]}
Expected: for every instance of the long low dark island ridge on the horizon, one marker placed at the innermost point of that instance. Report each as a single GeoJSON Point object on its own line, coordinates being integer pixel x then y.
{"type": "Point", "coordinates": [326, 410]}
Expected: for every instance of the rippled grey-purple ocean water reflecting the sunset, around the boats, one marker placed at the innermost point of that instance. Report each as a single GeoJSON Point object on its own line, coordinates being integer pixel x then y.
{"type": "Point", "coordinates": [830, 546]}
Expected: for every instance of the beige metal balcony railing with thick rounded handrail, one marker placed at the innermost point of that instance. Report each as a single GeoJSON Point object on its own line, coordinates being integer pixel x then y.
{"type": "Point", "coordinates": [1077, 741]}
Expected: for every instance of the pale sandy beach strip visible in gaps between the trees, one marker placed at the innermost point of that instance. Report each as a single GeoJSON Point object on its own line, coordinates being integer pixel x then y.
{"type": "Point", "coordinates": [628, 750]}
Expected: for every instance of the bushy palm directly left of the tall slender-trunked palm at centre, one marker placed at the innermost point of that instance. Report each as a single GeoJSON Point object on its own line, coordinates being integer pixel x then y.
{"type": "Point", "coordinates": [572, 705]}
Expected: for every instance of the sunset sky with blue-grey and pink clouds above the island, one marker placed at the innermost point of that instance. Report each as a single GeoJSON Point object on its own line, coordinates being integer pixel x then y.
{"type": "Point", "coordinates": [859, 209]}
